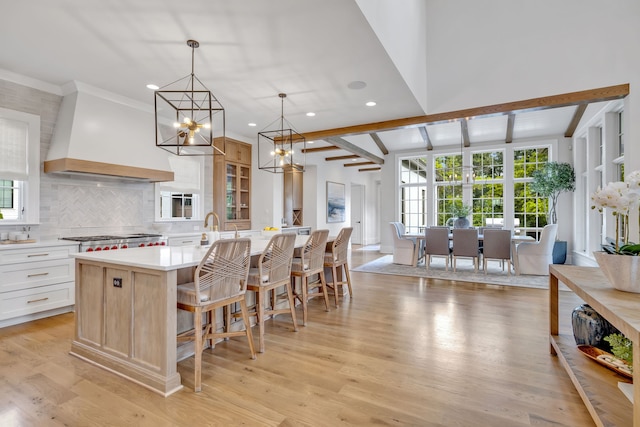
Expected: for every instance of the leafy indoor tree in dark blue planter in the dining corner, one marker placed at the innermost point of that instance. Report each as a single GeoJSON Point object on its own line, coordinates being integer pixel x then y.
{"type": "Point", "coordinates": [552, 179]}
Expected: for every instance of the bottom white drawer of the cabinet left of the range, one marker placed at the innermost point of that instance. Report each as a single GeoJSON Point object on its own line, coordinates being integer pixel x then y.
{"type": "Point", "coordinates": [34, 300]}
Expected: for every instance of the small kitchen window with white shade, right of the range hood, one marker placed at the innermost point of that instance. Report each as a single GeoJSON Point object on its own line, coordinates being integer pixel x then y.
{"type": "Point", "coordinates": [181, 198]}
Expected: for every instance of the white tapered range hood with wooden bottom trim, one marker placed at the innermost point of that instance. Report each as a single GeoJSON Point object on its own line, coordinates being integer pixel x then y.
{"type": "Point", "coordinates": [99, 133]}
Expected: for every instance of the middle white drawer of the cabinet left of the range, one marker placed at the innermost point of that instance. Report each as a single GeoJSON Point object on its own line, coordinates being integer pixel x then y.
{"type": "Point", "coordinates": [28, 275]}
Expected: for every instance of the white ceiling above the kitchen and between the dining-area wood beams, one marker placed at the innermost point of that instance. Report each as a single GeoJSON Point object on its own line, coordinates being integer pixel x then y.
{"type": "Point", "coordinates": [250, 51]}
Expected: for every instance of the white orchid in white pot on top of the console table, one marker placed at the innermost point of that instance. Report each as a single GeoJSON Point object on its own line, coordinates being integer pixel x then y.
{"type": "Point", "coordinates": [620, 262]}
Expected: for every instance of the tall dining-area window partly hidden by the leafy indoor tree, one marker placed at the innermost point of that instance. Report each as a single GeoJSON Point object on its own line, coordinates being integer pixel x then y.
{"type": "Point", "coordinates": [529, 209]}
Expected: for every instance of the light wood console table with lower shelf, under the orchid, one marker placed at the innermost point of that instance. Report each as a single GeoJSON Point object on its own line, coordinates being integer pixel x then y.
{"type": "Point", "coordinates": [597, 385]}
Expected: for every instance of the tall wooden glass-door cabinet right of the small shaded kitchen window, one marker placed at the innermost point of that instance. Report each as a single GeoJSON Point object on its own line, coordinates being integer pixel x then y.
{"type": "Point", "coordinates": [232, 186]}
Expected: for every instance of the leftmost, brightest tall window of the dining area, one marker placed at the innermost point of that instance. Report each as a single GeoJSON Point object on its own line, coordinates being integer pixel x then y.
{"type": "Point", "coordinates": [413, 193]}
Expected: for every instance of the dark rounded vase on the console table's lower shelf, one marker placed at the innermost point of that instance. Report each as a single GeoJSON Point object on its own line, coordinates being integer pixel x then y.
{"type": "Point", "coordinates": [590, 328]}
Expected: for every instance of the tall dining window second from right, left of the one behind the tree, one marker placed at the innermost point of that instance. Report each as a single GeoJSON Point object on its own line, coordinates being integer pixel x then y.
{"type": "Point", "coordinates": [487, 197]}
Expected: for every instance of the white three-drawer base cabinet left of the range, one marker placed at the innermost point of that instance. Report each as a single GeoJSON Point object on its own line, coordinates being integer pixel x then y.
{"type": "Point", "coordinates": [36, 281]}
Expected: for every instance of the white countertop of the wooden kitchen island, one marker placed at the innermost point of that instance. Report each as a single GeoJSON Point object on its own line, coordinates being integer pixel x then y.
{"type": "Point", "coordinates": [166, 258]}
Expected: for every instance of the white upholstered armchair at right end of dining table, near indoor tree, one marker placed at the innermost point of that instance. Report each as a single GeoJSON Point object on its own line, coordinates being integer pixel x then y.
{"type": "Point", "coordinates": [535, 257]}
